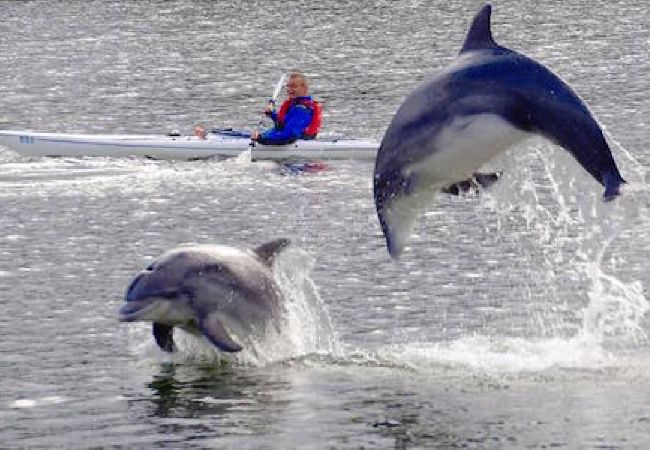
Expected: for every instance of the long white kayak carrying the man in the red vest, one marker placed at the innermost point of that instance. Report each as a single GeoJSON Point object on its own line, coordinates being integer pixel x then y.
{"type": "Point", "coordinates": [218, 143]}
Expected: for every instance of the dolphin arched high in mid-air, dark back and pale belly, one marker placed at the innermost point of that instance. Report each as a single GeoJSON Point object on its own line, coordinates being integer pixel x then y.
{"type": "Point", "coordinates": [488, 99]}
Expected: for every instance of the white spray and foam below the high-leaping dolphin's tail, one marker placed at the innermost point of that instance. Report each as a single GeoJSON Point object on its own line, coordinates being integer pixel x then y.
{"type": "Point", "coordinates": [585, 308]}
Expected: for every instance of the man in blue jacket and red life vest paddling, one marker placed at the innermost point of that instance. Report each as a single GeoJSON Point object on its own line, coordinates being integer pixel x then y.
{"type": "Point", "coordinates": [299, 116]}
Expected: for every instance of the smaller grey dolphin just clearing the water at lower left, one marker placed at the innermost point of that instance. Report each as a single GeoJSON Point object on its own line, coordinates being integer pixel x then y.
{"type": "Point", "coordinates": [207, 290]}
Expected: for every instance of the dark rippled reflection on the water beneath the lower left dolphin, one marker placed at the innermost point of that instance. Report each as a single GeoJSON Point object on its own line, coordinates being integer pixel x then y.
{"type": "Point", "coordinates": [206, 401]}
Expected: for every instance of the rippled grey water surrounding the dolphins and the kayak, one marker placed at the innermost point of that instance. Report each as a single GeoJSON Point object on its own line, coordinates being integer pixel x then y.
{"type": "Point", "coordinates": [515, 319]}
